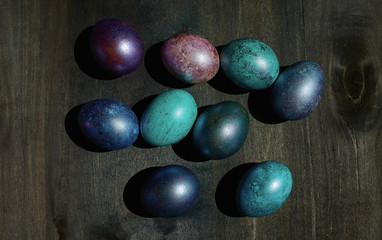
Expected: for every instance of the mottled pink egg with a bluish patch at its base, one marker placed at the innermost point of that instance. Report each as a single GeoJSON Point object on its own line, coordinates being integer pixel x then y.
{"type": "Point", "coordinates": [190, 58]}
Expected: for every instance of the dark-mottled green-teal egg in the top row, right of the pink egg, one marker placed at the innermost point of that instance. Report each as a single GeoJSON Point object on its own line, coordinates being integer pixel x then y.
{"type": "Point", "coordinates": [249, 63]}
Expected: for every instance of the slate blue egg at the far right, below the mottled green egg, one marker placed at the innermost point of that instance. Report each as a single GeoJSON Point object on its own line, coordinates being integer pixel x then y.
{"type": "Point", "coordinates": [298, 90]}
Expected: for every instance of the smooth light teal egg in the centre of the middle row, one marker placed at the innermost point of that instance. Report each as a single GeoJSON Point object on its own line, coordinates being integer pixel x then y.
{"type": "Point", "coordinates": [168, 118]}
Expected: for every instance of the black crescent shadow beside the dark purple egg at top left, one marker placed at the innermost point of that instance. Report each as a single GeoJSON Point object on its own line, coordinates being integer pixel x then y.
{"type": "Point", "coordinates": [84, 57]}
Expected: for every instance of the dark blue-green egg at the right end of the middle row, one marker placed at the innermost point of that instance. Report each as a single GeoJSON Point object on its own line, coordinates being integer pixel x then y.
{"type": "Point", "coordinates": [221, 130]}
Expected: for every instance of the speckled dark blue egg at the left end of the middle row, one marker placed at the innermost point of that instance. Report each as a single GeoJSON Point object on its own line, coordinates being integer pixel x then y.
{"type": "Point", "coordinates": [109, 124]}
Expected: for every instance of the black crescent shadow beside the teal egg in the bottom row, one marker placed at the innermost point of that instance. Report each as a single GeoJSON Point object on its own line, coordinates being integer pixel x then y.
{"type": "Point", "coordinates": [226, 190]}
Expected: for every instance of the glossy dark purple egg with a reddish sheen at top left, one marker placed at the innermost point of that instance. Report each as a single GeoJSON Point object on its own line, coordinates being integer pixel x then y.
{"type": "Point", "coordinates": [116, 46]}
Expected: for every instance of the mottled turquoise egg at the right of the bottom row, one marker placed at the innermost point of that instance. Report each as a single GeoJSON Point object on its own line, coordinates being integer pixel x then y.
{"type": "Point", "coordinates": [263, 189]}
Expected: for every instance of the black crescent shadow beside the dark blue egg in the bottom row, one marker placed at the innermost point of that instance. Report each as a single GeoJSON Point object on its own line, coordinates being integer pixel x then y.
{"type": "Point", "coordinates": [132, 192]}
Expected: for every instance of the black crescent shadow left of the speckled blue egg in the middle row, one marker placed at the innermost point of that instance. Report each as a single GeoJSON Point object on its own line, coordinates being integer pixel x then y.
{"type": "Point", "coordinates": [74, 131]}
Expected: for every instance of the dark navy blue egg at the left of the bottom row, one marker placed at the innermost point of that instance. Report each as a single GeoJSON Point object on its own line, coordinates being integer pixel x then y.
{"type": "Point", "coordinates": [170, 191]}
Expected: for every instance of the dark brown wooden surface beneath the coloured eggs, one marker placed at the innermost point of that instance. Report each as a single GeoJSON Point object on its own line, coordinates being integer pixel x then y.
{"type": "Point", "coordinates": [53, 185]}
